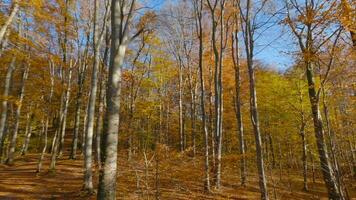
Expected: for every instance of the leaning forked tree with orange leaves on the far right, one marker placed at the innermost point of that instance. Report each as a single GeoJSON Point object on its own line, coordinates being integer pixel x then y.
{"type": "Point", "coordinates": [309, 19]}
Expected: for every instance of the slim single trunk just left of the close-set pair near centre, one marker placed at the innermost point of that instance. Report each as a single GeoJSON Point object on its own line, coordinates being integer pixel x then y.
{"type": "Point", "coordinates": [198, 8]}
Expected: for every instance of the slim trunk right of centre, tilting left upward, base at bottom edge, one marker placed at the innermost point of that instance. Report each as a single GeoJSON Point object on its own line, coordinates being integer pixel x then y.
{"type": "Point", "coordinates": [248, 34]}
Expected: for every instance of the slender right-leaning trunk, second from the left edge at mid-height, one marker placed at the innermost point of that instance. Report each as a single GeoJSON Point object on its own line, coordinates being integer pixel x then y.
{"type": "Point", "coordinates": [12, 147]}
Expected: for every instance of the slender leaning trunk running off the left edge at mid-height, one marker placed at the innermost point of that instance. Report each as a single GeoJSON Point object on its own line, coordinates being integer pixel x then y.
{"type": "Point", "coordinates": [4, 103]}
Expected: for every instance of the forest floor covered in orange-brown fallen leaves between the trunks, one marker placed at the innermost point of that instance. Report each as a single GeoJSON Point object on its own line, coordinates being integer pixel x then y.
{"type": "Point", "coordinates": [180, 177]}
